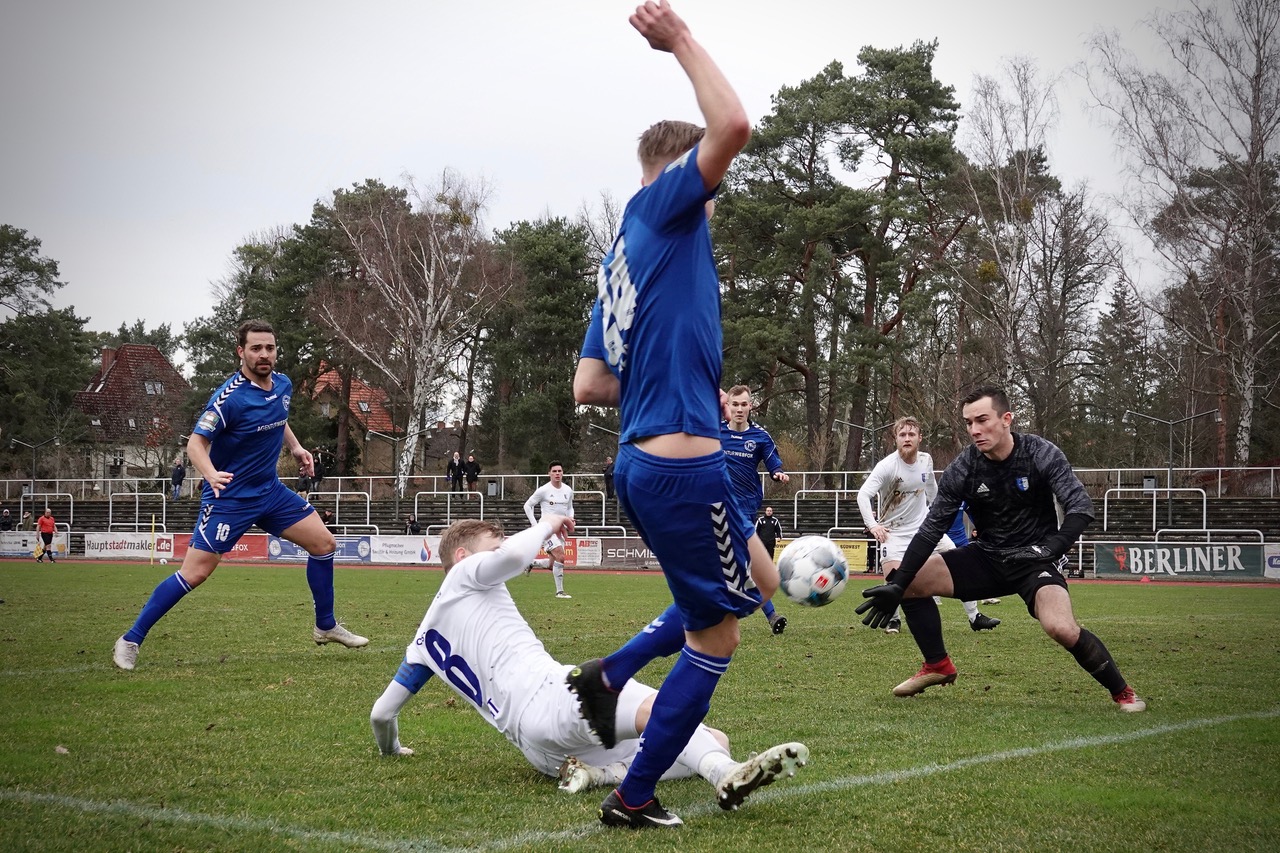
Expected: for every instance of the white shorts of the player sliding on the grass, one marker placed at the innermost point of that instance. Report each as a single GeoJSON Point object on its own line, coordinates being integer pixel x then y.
{"type": "Point", "coordinates": [551, 729]}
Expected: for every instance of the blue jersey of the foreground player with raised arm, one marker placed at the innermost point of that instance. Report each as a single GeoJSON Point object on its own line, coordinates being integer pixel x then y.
{"type": "Point", "coordinates": [657, 322]}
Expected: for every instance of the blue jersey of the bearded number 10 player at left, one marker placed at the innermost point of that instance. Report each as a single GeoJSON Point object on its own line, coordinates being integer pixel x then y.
{"type": "Point", "coordinates": [246, 431]}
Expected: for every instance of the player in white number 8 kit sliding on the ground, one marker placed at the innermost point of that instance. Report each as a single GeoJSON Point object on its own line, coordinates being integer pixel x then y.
{"type": "Point", "coordinates": [474, 638]}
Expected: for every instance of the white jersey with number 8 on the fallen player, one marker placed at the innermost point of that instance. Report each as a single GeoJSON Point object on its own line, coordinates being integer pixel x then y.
{"type": "Point", "coordinates": [476, 640]}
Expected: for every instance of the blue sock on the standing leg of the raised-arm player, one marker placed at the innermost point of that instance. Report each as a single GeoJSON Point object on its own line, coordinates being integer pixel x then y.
{"type": "Point", "coordinates": [680, 706]}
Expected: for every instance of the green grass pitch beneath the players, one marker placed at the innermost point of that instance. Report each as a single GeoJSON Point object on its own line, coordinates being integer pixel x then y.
{"type": "Point", "coordinates": [237, 733]}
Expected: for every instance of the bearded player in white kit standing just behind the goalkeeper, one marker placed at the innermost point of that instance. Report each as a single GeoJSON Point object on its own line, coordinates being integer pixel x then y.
{"type": "Point", "coordinates": [906, 486]}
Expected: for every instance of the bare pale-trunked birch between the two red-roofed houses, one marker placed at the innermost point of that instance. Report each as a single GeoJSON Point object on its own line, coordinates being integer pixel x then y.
{"type": "Point", "coordinates": [417, 291]}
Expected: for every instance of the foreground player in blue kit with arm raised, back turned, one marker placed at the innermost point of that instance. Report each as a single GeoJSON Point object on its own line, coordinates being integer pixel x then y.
{"type": "Point", "coordinates": [655, 349]}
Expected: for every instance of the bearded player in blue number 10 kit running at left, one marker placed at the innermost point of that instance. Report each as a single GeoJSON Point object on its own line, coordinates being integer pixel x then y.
{"type": "Point", "coordinates": [236, 446]}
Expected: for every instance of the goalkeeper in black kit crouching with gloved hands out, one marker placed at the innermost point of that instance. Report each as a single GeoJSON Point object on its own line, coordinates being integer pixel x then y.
{"type": "Point", "coordinates": [1009, 483]}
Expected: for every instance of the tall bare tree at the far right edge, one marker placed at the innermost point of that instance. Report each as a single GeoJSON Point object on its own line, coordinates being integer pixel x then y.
{"type": "Point", "coordinates": [1201, 145]}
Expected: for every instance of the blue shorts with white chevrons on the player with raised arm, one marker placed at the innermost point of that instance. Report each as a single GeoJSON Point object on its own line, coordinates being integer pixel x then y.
{"type": "Point", "coordinates": [685, 513]}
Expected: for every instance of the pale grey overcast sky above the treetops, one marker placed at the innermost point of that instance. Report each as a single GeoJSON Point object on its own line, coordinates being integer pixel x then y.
{"type": "Point", "coordinates": [144, 142]}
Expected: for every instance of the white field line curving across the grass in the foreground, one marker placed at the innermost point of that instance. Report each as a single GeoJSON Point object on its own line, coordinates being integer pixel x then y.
{"type": "Point", "coordinates": [534, 838]}
